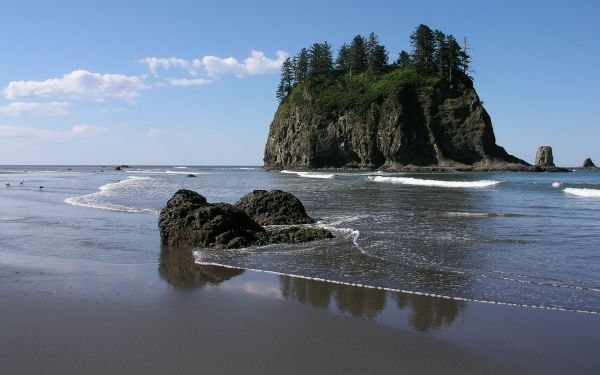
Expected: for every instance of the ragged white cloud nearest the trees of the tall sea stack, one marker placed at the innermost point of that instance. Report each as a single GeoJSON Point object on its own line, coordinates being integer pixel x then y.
{"type": "Point", "coordinates": [214, 67]}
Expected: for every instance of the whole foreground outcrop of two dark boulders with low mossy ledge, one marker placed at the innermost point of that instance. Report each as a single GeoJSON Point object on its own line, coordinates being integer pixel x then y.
{"type": "Point", "coordinates": [189, 220]}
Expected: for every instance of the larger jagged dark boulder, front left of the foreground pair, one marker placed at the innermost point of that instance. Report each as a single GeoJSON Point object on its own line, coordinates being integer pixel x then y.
{"type": "Point", "coordinates": [188, 220]}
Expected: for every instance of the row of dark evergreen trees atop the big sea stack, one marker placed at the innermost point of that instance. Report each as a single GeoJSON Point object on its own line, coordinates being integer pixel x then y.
{"type": "Point", "coordinates": [432, 53]}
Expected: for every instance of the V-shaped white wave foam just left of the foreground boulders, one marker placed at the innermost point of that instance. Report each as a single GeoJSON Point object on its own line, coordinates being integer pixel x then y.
{"type": "Point", "coordinates": [101, 199]}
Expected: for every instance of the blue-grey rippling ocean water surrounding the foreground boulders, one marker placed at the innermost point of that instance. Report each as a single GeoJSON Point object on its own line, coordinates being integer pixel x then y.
{"type": "Point", "coordinates": [527, 239]}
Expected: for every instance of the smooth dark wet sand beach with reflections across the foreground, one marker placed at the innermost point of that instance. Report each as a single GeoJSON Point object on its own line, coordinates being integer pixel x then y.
{"type": "Point", "coordinates": [67, 316]}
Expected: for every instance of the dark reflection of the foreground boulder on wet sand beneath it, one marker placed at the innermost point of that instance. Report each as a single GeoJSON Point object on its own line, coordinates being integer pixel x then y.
{"type": "Point", "coordinates": [177, 267]}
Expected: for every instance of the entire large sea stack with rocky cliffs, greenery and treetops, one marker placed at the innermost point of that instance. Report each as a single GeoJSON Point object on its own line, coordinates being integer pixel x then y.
{"type": "Point", "coordinates": [361, 111]}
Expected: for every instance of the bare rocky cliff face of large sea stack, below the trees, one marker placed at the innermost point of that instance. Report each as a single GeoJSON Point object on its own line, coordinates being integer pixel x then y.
{"type": "Point", "coordinates": [439, 125]}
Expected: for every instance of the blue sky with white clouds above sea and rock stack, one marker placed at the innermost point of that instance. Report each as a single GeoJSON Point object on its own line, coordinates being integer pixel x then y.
{"type": "Point", "coordinates": [193, 82]}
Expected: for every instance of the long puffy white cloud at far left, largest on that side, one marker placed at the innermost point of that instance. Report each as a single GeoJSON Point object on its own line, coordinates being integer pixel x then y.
{"type": "Point", "coordinates": [80, 84]}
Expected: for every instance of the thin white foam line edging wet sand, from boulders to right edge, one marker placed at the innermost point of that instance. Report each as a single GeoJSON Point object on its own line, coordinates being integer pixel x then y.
{"type": "Point", "coordinates": [393, 290]}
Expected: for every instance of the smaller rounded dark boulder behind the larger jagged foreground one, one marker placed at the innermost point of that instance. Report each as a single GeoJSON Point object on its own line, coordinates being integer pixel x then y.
{"type": "Point", "coordinates": [274, 207]}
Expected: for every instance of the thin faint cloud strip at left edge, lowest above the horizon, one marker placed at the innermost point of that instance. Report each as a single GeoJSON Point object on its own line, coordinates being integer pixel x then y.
{"type": "Point", "coordinates": [37, 134]}
